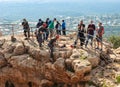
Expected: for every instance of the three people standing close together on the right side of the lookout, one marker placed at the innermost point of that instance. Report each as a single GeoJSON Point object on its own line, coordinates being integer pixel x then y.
{"type": "Point", "coordinates": [90, 34]}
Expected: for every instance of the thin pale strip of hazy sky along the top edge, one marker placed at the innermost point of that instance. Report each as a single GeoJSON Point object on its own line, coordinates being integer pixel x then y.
{"type": "Point", "coordinates": [59, 0]}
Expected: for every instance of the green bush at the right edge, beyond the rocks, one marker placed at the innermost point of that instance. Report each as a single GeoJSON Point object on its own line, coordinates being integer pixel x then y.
{"type": "Point", "coordinates": [115, 40]}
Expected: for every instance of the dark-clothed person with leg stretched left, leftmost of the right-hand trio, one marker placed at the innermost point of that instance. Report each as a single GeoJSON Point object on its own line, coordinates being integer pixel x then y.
{"type": "Point", "coordinates": [80, 35]}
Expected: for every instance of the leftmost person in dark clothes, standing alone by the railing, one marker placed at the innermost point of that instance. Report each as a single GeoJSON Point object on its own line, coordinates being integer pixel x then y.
{"type": "Point", "coordinates": [26, 29]}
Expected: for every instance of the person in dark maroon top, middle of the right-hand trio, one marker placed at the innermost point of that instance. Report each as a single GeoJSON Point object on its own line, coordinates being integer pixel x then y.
{"type": "Point", "coordinates": [90, 33]}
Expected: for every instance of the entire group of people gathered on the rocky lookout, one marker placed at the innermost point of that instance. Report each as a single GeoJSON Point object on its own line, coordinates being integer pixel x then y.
{"type": "Point", "coordinates": [54, 29]}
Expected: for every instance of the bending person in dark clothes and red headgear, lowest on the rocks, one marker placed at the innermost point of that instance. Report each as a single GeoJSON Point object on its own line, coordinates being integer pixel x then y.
{"type": "Point", "coordinates": [51, 45]}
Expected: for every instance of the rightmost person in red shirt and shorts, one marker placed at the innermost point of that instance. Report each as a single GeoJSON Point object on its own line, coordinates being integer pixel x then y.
{"type": "Point", "coordinates": [100, 32]}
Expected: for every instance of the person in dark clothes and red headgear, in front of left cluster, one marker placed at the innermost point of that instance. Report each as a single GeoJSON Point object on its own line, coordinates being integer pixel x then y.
{"type": "Point", "coordinates": [40, 37]}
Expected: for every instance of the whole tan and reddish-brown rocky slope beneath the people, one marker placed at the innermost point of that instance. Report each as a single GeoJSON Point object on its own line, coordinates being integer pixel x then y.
{"type": "Point", "coordinates": [23, 64]}
